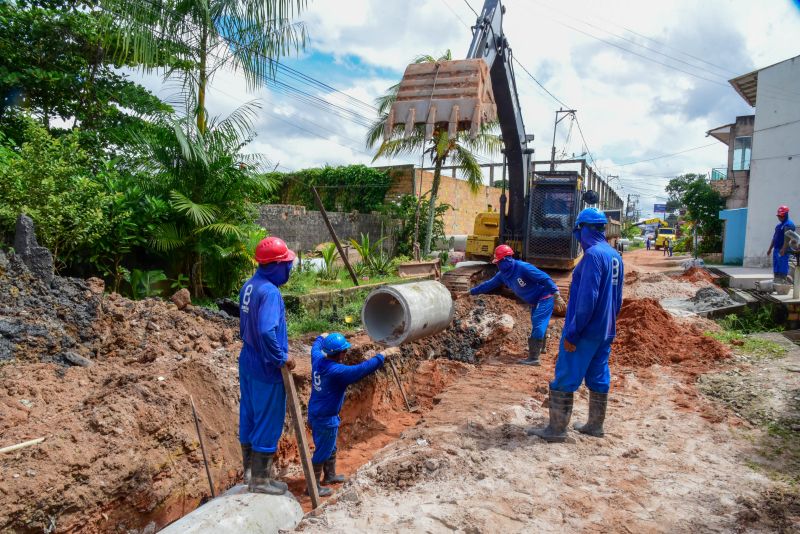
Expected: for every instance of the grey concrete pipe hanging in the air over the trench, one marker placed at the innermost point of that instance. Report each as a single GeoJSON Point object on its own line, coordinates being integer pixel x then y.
{"type": "Point", "coordinates": [406, 312]}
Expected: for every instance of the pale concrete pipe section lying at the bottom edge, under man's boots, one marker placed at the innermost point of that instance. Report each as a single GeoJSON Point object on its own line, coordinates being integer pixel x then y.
{"type": "Point", "coordinates": [240, 512]}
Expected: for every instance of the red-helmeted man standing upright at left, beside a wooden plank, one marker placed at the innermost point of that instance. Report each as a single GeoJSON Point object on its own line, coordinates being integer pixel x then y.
{"type": "Point", "coordinates": [265, 346]}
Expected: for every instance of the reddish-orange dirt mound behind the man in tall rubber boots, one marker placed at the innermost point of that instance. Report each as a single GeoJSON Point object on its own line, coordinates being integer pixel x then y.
{"type": "Point", "coordinates": [647, 334]}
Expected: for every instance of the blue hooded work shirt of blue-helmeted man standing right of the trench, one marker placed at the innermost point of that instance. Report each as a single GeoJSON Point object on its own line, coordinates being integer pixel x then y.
{"type": "Point", "coordinates": [595, 294]}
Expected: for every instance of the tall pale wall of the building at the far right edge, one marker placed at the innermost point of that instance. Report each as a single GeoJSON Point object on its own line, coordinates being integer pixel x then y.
{"type": "Point", "coordinates": [775, 162]}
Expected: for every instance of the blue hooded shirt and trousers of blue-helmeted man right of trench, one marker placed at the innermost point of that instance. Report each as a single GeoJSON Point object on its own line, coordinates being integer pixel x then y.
{"type": "Point", "coordinates": [595, 298]}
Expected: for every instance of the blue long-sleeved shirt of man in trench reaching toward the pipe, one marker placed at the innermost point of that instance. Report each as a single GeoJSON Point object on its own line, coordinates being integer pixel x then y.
{"type": "Point", "coordinates": [329, 381]}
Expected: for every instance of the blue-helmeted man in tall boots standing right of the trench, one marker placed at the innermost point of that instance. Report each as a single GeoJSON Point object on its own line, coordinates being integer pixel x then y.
{"type": "Point", "coordinates": [589, 328]}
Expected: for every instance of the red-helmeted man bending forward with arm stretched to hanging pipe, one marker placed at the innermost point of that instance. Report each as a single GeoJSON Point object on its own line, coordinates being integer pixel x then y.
{"type": "Point", "coordinates": [531, 285]}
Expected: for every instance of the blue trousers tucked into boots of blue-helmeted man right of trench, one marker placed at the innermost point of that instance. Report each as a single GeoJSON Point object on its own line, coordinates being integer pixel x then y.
{"type": "Point", "coordinates": [589, 362]}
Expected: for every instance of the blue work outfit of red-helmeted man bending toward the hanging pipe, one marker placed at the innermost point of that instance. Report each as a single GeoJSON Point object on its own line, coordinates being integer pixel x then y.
{"type": "Point", "coordinates": [530, 284]}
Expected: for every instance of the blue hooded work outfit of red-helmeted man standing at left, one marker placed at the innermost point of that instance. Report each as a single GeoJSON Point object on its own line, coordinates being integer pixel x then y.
{"type": "Point", "coordinates": [265, 346]}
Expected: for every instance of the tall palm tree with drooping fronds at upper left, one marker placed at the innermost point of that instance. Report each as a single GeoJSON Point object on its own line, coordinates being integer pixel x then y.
{"type": "Point", "coordinates": [193, 39]}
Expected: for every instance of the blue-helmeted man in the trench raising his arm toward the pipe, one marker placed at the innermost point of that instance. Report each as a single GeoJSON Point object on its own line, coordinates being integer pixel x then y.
{"type": "Point", "coordinates": [330, 378]}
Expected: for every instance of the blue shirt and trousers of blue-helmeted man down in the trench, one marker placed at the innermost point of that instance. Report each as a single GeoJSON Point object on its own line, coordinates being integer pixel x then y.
{"type": "Point", "coordinates": [329, 382]}
